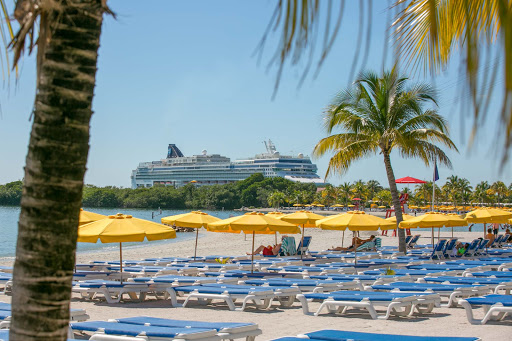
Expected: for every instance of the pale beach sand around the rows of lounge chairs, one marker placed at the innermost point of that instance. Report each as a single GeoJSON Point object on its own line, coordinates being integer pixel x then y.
{"type": "Point", "coordinates": [280, 322]}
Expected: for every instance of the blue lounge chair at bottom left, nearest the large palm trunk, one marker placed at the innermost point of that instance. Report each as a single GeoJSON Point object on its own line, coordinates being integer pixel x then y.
{"type": "Point", "coordinates": [134, 330]}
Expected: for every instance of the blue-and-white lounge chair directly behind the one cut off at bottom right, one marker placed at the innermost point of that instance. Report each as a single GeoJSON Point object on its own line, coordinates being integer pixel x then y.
{"type": "Point", "coordinates": [339, 301]}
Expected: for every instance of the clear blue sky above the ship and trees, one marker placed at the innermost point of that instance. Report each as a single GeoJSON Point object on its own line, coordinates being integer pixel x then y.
{"type": "Point", "coordinates": [184, 72]}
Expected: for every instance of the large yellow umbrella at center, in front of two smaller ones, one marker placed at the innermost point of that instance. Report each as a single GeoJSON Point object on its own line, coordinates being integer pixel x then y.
{"type": "Point", "coordinates": [253, 222]}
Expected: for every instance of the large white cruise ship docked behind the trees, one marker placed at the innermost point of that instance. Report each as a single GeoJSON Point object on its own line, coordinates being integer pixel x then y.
{"type": "Point", "coordinates": [212, 169]}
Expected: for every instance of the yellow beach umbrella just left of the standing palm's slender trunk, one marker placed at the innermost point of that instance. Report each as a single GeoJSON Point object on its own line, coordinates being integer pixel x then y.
{"type": "Point", "coordinates": [354, 221]}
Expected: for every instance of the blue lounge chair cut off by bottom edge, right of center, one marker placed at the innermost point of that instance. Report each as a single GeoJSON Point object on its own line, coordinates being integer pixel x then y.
{"type": "Point", "coordinates": [339, 335]}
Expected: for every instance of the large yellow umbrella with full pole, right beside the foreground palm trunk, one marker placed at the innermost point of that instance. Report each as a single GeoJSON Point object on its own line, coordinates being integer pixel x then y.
{"type": "Point", "coordinates": [122, 228]}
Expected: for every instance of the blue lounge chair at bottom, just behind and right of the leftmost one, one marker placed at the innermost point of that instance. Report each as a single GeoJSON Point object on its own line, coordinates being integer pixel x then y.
{"type": "Point", "coordinates": [225, 330]}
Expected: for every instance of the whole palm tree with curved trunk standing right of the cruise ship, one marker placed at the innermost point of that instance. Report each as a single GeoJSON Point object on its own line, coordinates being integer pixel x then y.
{"type": "Point", "coordinates": [379, 115]}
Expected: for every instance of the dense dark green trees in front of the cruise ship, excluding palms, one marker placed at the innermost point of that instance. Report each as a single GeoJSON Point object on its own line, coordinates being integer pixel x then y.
{"type": "Point", "coordinates": [255, 191]}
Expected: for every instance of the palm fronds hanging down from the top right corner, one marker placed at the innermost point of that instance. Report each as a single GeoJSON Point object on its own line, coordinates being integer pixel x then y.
{"type": "Point", "coordinates": [427, 34]}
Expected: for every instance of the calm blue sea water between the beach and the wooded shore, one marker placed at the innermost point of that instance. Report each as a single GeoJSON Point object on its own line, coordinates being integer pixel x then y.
{"type": "Point", "coordinates": [9, 227]}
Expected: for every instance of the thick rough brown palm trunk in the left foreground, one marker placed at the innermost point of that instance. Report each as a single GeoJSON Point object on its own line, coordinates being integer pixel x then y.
{"type": "Point", "coordinates": [54, 173]}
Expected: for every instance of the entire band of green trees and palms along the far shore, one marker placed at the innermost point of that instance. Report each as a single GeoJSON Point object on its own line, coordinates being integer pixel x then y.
{"type": "Point", "coordinates": [257, 191]}
